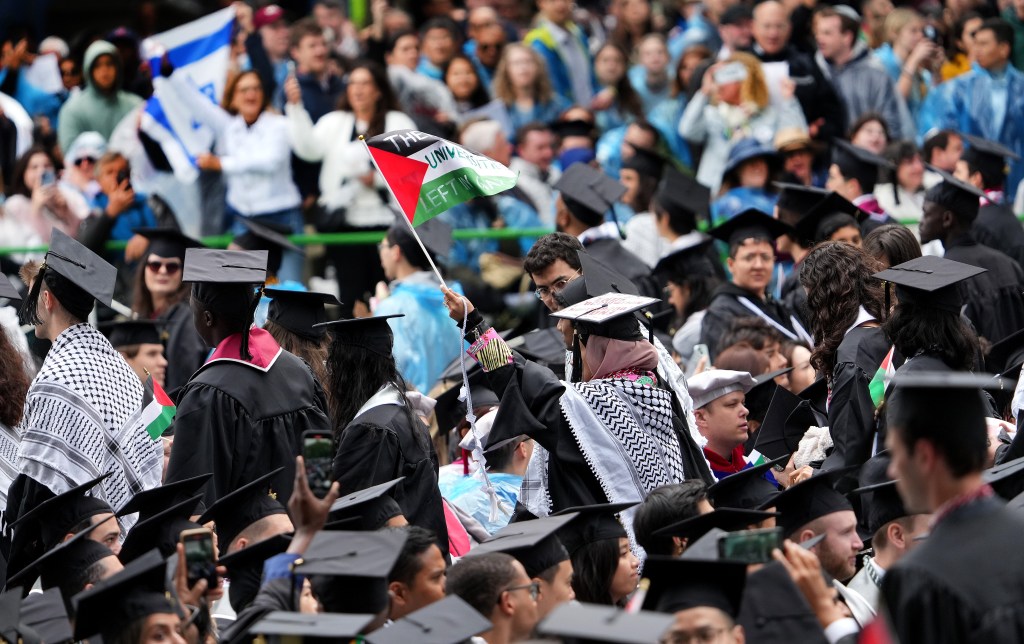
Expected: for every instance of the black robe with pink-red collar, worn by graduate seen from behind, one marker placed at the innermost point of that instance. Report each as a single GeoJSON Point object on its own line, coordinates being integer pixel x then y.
{"type": "Point", "coordinates": [242, 419]}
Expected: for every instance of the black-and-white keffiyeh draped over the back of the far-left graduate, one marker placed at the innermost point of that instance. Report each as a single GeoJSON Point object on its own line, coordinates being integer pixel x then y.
{"type": "Point", "coordinates": [83, 419]}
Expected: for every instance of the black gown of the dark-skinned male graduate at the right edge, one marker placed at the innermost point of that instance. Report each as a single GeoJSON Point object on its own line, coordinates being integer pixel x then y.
{"type": "Point", "coordinates": [995, 299]}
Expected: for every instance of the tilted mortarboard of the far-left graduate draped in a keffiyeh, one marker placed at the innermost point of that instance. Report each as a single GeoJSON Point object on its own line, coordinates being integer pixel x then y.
{"type": "Point", "coordinates": [75, 275]}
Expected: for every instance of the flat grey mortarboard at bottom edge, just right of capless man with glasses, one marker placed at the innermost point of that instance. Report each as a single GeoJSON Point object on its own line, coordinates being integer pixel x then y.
{"type": "Point", "coordinates": [593, 623]}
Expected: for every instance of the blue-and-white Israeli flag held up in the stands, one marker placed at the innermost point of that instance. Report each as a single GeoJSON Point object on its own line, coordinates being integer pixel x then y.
{"type": "Point", "coordinates": [200, 51]}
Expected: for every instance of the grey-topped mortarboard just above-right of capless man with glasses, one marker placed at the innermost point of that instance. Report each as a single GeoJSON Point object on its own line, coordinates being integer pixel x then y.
{"type": "Point", "coordinates": [534, 543]}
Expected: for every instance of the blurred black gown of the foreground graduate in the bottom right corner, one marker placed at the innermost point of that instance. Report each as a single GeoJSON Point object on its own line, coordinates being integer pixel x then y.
{"type": "Point", "coordinates": [965, 583]}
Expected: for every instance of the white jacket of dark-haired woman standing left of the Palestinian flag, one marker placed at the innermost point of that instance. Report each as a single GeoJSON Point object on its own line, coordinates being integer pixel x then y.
{"type": "Point", "coordinates": [346, 160]}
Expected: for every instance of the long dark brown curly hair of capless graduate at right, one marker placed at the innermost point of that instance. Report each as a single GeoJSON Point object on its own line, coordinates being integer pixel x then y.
{"type": "Point", "coordinates": [838, 279]}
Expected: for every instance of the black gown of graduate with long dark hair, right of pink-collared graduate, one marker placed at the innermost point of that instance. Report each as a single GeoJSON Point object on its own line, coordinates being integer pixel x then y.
{"type": "Point", "coordinates": [382, 445]}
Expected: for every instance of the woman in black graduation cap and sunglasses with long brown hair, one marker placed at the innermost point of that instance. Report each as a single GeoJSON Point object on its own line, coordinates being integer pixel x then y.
{"type": "Point", "coordinates": [161, 295]}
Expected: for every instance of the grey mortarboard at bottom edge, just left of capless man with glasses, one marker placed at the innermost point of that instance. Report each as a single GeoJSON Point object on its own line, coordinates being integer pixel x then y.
{"type": "Point", "coordinates": [450, 621]}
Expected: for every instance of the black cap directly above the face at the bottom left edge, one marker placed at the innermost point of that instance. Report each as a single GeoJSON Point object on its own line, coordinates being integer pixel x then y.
{"type": "Point", "coordinates": [117, 603]}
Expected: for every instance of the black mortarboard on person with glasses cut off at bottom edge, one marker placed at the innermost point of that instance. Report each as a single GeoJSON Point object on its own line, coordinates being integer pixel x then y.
{"type": "Point", "coordinates": [682, 584]}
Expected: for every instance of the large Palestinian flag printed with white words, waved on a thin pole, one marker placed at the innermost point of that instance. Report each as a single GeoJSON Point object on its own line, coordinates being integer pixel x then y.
{"type": "Point", "coordinates": [429, 176]}
